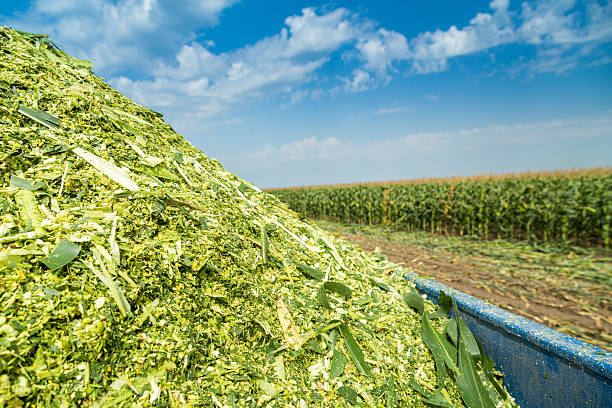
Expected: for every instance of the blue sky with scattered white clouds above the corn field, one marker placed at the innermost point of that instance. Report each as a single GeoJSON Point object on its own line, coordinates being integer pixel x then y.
{"type": "Point", "coordinates": [312, 92]}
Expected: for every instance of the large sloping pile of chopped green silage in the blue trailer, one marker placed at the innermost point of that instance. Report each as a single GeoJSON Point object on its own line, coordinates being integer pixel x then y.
{"type": "Point", "coordinates": [136, 271]}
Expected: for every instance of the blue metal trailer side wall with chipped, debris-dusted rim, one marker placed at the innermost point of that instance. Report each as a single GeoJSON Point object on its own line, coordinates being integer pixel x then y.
{"type": "Point", "coordinates": [542, 368]}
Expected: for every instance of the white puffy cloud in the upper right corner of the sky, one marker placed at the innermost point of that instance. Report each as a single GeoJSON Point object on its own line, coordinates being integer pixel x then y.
{"type": "Point", "coordinates": [561, 30]}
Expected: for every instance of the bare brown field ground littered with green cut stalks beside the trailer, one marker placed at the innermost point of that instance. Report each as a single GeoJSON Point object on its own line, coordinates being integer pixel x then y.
{"type": "Point", "coordinates": [566, 288]}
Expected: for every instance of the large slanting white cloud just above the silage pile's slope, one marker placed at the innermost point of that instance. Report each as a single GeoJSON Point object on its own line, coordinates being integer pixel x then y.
{"type": "Point", "coordinates": [274, 65]}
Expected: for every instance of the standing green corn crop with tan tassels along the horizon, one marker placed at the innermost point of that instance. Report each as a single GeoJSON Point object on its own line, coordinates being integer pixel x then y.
{"type": "Point", "coordinates": [566, 208]}
